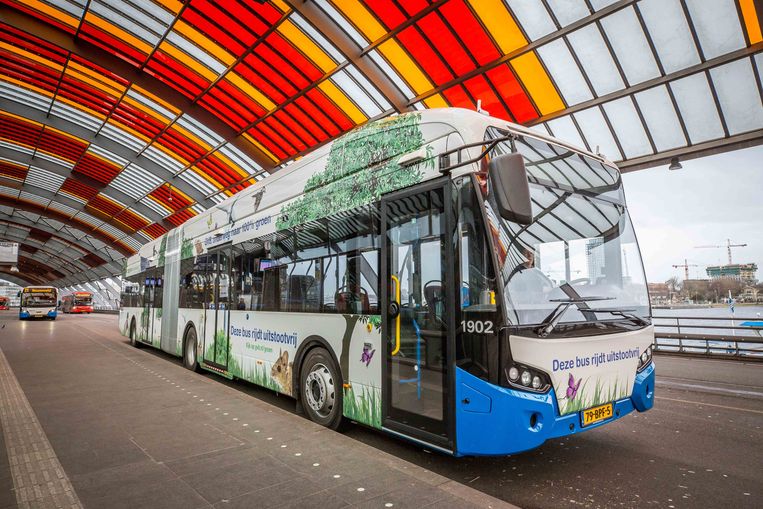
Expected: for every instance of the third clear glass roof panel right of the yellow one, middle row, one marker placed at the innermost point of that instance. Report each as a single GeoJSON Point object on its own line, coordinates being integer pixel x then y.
{"type": "Point", "coordinates": [630, 46]}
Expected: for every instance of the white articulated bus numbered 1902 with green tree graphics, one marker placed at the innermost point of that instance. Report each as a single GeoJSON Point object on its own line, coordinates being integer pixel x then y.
{"type": "Point", "coordinates": [450, 278]}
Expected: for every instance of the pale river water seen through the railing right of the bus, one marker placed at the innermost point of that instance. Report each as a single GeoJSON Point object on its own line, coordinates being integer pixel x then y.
{"type": "Point", "coordinates": [711, 322]}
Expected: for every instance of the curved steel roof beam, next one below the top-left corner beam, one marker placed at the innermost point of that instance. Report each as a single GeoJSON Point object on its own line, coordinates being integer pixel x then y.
{"type": "Point", "coordinates": [112, 146]}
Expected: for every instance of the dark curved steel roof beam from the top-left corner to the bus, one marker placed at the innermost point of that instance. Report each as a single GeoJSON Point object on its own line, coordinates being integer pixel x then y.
{"type": "Point", "coordinates": [98, 56]}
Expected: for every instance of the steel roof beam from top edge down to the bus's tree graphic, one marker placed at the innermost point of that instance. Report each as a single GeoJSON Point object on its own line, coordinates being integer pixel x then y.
{"type": "Point", "coordinates": [344, 43]}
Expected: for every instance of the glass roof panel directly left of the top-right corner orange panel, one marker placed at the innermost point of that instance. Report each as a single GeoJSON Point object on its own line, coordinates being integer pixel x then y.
{"type": "Point", "coordinates": [718, 27]}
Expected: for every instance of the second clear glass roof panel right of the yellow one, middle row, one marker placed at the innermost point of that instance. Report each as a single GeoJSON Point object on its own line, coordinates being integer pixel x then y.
{"type": "Point", "coordinates": [596, 60]}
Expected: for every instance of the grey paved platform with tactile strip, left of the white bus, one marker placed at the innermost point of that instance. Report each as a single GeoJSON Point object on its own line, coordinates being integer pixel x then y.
{"type": "Point", "coordinates": [89, 421]}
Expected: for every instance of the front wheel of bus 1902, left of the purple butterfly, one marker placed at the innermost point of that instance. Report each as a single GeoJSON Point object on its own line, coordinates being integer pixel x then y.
{"type": "Point", "coordinates": [321, 389]}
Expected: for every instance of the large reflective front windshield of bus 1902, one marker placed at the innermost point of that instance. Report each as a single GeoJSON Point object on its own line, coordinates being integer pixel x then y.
{"type": "Point", "coordinates": [580, 248]}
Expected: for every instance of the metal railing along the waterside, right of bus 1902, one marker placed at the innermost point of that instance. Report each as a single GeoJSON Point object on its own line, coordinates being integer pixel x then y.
{"type": "Point", "coordinates": [721, 337]}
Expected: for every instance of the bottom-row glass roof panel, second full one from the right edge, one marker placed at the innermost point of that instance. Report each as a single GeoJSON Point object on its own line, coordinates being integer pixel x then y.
{"type": "Point", "coordinates": [696, 105]}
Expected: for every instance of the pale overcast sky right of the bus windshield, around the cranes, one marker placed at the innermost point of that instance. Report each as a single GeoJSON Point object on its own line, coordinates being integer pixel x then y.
{"type": "Point", "coordinates": [709, 200]}
